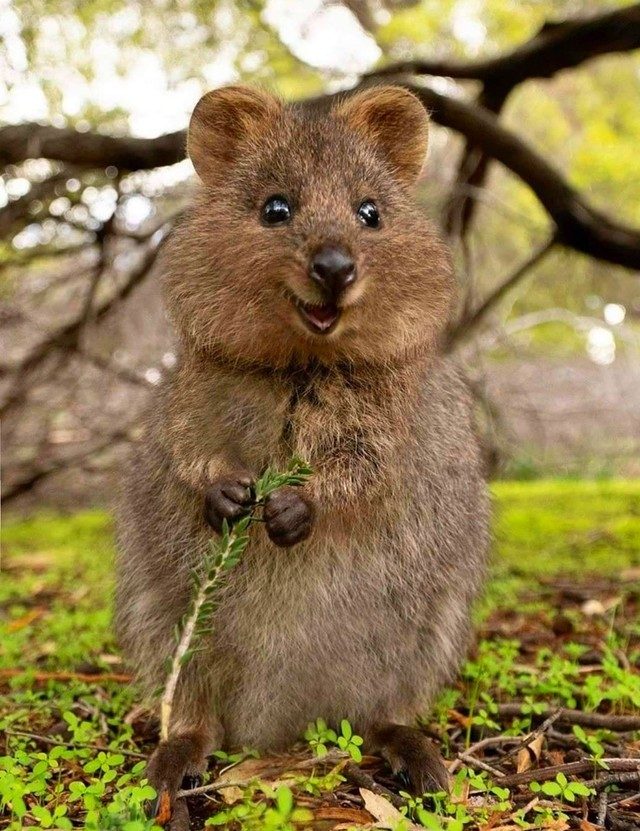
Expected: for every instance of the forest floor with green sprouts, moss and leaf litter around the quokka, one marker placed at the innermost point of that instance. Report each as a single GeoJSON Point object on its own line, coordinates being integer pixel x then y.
{"type": "Point", "coordinates": [542, 728]}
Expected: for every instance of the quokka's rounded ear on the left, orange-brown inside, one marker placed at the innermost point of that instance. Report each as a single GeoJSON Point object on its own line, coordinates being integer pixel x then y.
{"type": "Point", "coordinates": [222, 122]}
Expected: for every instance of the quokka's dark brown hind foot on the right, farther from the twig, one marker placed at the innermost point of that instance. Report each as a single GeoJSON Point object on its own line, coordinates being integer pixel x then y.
{"type": "Point", "coordinates": [411, 756]}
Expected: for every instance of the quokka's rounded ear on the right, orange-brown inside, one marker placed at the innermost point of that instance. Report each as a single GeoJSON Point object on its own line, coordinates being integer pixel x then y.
{"type": "Point", "coordinates": [395, 120]}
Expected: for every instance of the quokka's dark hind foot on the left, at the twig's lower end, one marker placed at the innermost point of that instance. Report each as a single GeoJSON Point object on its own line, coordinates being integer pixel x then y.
{"type": "Point", "coordinates": [175, 764]}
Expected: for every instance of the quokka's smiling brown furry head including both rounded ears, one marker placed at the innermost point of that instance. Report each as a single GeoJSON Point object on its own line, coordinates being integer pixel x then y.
{"type": "Point", "coordinates": [305, 239]}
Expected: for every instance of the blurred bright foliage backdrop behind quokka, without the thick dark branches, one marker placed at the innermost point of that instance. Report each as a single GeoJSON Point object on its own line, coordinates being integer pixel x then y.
{"type": "Point", "coordinates": [555, 363]}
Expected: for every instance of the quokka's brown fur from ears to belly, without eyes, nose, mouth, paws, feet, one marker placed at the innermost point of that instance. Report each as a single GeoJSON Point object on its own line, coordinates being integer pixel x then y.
{"type": "Point", "coordinates": [369, 616]}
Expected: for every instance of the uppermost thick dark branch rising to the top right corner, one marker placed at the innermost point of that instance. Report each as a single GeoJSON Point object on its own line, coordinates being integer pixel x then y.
{"type": "Point", "coordinates": [557, 46]}
